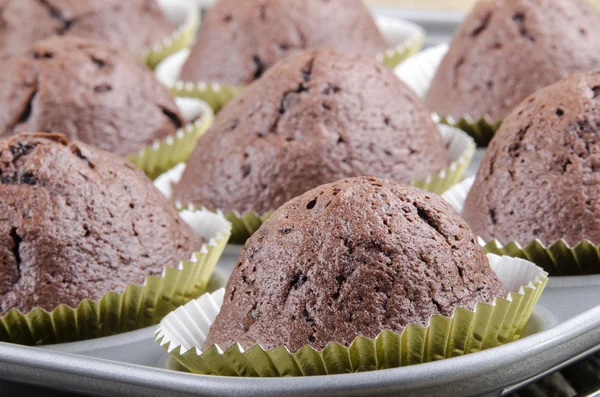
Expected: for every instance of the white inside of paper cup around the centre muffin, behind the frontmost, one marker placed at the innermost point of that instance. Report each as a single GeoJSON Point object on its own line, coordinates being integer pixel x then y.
{"type": "Point", "coordinates": [459, 146]}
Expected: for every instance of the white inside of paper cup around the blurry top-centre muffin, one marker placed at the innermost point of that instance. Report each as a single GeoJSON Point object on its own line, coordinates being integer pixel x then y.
{"type": "Point", "coordinates": [398, 33]}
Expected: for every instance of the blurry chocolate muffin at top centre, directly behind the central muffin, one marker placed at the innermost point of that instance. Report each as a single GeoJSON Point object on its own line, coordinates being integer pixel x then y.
{"type": "Point", "coordinates": [239, 40]}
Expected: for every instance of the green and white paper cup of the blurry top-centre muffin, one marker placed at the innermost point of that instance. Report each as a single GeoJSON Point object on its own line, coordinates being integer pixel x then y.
{"type": "Point", "coordinates": [405, 39]}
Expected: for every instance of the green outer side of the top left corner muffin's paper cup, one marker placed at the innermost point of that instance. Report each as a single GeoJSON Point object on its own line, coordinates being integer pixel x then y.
{"type": "Point", "coordinates": [182, 38]}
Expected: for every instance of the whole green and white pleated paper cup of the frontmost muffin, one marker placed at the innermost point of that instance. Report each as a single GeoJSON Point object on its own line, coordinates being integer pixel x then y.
{"type": "Point", "coordinates": [183, 332]}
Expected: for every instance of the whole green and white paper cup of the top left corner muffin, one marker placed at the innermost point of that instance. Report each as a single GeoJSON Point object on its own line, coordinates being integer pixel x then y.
{"type": "Point", "coordinates": [186, 16]}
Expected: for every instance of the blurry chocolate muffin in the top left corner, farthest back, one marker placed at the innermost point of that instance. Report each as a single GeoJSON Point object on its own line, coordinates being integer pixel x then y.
{"type": "Point", "coordinates": [133, 24]}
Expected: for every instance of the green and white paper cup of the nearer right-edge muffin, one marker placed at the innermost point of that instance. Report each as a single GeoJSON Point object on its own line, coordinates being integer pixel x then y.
{"type": "Point", "coordinates": [558, 259]}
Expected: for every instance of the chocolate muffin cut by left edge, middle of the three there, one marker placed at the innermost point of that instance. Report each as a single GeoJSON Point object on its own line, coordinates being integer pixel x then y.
{"type": "Point", "coordinates": [93, 93]}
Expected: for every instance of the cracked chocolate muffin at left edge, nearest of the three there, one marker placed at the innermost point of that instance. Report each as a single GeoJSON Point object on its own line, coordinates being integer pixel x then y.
{"type": "Point", "coordinates": [78, 222]}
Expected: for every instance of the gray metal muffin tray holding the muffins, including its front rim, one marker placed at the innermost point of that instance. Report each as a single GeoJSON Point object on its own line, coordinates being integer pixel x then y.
{"type": "Point", "coordinates": [565, 324]}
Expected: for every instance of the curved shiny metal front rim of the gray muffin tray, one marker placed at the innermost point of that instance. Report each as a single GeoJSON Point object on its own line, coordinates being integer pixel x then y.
{"type": "Point", "coordinates": [581, 333]}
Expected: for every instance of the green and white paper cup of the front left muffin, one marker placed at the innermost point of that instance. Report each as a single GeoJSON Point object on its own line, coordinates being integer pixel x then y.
{"type": "Point", "coordinates": [137, 307]}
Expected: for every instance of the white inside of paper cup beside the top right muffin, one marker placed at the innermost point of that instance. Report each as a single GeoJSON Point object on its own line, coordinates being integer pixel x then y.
{"type": "Point", "coordinates": [418, 71]}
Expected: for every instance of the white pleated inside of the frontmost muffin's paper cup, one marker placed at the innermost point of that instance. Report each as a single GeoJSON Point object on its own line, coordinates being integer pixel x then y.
{"type": "Point", "coordinates": [187, 327]}
